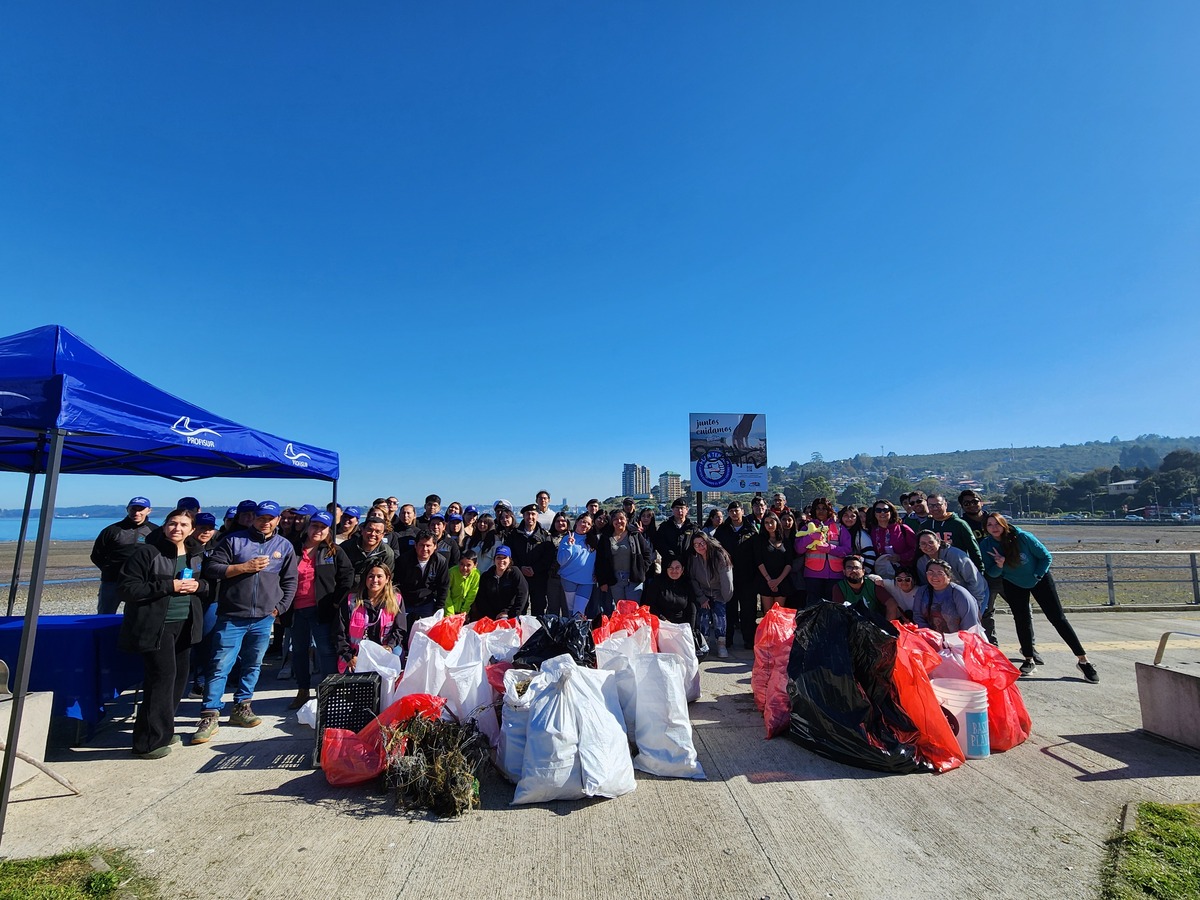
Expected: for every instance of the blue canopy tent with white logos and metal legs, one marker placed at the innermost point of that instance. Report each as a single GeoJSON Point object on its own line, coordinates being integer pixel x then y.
{"type": "Point", "coordinates": [68, 409]}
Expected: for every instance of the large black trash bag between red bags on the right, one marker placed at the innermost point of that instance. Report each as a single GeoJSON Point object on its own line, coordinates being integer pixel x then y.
{"type": "Point", "coordinates": [839, 680]}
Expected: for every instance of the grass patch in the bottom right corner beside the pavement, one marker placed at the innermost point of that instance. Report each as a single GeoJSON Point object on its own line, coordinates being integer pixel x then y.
{"type": "Point", "coordinates": [1160, 859]}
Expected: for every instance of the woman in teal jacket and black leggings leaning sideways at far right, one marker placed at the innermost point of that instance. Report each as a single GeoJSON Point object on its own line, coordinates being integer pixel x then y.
{"type": "Point", "coordinates": [1024, 563]}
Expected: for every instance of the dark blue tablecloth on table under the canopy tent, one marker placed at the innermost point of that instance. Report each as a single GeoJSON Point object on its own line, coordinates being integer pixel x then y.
{"type": "Point", "coordinates": [76, 657]}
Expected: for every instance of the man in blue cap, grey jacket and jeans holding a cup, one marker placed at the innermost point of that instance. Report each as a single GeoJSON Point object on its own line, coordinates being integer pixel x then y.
{"type": "Point", "coordinates": [257, 572]}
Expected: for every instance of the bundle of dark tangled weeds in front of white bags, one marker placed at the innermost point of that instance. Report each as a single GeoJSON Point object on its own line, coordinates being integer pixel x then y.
{"type": "Point", "coordinates": [433, 765]}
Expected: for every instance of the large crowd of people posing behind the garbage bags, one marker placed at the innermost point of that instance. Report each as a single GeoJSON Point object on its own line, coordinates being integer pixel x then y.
{"type": "Point", "coordinates": [203, 602]}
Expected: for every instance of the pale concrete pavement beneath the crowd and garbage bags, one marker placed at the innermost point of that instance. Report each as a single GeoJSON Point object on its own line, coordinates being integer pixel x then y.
{"type": "Point", "coordinates": [248, 818]}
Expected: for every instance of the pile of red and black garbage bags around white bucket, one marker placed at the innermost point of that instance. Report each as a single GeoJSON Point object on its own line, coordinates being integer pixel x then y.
{"type": "Point", "coordinates": [854, 688]}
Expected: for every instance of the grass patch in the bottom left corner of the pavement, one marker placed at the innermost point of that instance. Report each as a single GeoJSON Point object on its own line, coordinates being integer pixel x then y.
{"type": "Point", "coordinates": [70, 877]}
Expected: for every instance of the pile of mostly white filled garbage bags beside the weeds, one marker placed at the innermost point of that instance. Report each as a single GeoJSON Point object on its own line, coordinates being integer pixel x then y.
{"type": "Point", "coordinates": [561, 703]}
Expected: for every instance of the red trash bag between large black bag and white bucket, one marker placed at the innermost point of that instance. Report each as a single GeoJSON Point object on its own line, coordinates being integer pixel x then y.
{"type": "Point", "coordinates": [934, 739]}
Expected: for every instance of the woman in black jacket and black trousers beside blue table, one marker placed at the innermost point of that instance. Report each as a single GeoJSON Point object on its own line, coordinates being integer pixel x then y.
{"type": "Point", "coordinates": [164, 619]}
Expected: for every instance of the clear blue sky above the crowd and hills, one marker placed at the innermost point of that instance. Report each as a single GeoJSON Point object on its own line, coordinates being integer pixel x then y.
{"type": "Point", "coordinates": [483, 249]}
